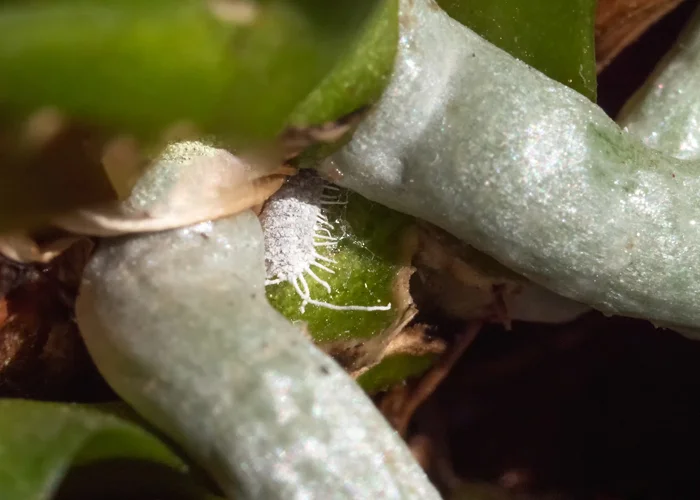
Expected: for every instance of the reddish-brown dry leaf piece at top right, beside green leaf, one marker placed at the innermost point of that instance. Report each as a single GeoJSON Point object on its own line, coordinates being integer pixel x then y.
{"type": "Point", "coordinates": [621, 22]}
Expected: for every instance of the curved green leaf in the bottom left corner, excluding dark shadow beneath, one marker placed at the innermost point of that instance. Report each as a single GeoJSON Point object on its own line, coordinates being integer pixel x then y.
{"type": "Point", "coordinates": [40, 442]}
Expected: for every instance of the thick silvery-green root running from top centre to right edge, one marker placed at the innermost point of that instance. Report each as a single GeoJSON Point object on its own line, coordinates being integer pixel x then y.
{"type": "Point", "coordinates": [529, 172]}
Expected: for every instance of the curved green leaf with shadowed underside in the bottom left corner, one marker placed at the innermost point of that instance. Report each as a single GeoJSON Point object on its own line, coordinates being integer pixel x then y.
{"type": "Point", "coordinates": [41, 442]}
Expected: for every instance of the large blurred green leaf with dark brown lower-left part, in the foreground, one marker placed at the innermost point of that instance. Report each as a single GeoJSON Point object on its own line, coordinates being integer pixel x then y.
{"type": "Point", "coordinates": [82, 79]}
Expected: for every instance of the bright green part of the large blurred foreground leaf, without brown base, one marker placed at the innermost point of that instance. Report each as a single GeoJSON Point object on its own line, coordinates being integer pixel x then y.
{"type": "Point", "coordinates": [231, 68]}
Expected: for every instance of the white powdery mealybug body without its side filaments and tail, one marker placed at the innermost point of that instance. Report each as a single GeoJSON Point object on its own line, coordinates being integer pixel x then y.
{"type": "Point", "coordinates": [289, 222]}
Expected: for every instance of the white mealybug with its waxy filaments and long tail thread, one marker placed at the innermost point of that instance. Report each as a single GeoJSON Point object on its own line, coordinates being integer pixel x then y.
{"type": "Point", "coordinates": [297, 231]}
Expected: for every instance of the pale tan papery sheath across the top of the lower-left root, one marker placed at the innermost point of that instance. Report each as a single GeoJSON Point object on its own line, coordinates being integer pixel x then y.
{"type": "Point", "coordinates": [213, 185]}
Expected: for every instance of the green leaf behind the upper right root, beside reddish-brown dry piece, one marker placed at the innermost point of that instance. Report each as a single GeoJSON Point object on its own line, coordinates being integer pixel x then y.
{"type": "Point", "coordinates": [554, 36]}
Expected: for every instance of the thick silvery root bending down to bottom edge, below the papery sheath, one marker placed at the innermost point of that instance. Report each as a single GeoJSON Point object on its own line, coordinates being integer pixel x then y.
{"type": "Point", "coordinates": [191, 342]}
